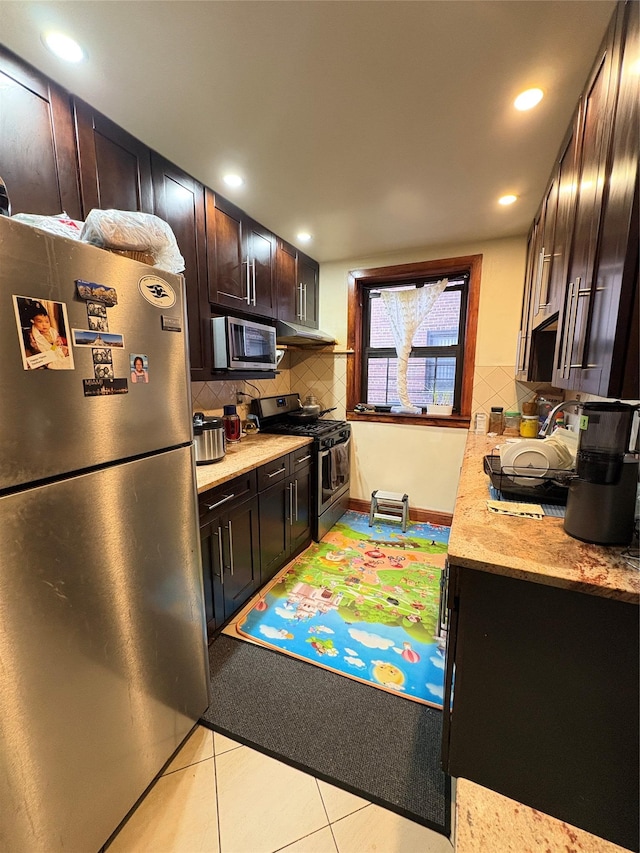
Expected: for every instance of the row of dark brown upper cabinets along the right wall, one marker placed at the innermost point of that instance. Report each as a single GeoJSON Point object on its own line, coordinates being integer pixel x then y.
{"type": "Point", "coordinates": [579, 318]}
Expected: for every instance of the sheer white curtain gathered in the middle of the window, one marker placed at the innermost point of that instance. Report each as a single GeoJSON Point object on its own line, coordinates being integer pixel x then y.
{"type": "Point", "coordinates": [407, 310]}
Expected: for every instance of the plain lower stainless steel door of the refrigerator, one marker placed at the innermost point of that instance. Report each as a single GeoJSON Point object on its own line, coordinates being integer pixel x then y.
{"type": "Point", "coordinates": [102, 644]}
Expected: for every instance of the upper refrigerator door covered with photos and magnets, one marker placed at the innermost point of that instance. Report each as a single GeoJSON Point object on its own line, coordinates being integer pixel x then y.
{"type": "Point", "coordinates": [48, 426]}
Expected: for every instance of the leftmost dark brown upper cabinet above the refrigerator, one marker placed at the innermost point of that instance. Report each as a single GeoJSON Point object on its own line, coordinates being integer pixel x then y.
{"type": "Point", "coordinates": [37, 142]}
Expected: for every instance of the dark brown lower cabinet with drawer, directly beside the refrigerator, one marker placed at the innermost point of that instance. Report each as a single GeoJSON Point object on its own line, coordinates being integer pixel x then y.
{"type": "Point", "coordinates": [230, 548]}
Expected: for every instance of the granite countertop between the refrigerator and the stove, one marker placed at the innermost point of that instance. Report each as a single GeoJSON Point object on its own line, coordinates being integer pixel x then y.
{"type": "Point", "coordinates": [251, 452]}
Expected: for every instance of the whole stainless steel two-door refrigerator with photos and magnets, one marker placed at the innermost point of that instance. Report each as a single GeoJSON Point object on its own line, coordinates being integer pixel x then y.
{"type": "Point", "coordinates": [103, 665]}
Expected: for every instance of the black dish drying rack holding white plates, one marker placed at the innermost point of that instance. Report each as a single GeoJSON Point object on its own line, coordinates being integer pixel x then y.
{"type": "Point", "coordinates": [543, 486]}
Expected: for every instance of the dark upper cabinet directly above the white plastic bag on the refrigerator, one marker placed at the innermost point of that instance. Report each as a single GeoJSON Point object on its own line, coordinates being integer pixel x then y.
{"type": "Point", "coordinates": [115, 167]}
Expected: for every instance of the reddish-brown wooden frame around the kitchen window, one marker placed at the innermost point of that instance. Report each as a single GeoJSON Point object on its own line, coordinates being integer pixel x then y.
{"type": "Point", "coordinates": [358, 279]}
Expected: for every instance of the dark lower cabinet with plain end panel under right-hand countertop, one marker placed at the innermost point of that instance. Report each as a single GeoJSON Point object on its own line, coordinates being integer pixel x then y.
{"type": "Point", "coordinates": [542, 687]}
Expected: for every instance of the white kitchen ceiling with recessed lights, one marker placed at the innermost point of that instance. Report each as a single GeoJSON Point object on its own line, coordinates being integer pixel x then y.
{"type": "Point", "coordinates": [377, 126]}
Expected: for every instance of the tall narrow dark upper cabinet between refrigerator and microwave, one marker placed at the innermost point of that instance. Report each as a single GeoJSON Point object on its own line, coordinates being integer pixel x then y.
{"type": "Point", "coordinates": [179, 200]}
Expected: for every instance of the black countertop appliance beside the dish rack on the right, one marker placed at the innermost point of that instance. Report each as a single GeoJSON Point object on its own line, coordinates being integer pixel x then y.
{"type": "Point", "coordinates": [602, 498]}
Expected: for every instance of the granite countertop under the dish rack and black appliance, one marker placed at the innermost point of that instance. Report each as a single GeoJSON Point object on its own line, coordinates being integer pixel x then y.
{"type": "Point", "coordinates": [536, 550]}
